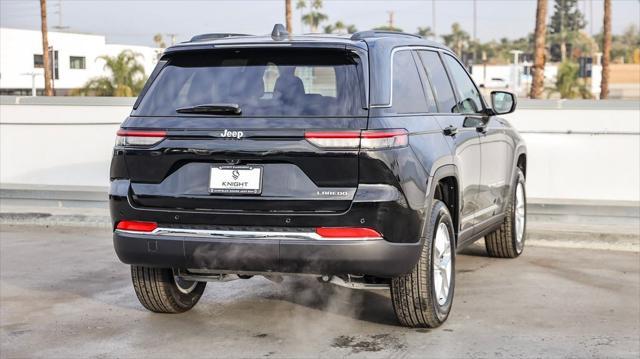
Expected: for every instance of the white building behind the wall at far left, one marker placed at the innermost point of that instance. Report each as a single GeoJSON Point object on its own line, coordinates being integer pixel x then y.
{"type": "Point", "coordinates": [76, 57]}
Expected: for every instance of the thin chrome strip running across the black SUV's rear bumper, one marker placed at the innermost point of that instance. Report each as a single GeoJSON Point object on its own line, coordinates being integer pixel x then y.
{"type": "Point", "coordinates": [231, 234]}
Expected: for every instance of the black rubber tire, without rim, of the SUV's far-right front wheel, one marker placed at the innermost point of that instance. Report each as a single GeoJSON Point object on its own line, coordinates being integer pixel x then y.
{"type": "Point", "coordinates": [503, 242]}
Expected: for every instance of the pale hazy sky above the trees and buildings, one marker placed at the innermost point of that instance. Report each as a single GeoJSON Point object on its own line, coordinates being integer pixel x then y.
{"type": "Point", "coordinates": [135, 22]}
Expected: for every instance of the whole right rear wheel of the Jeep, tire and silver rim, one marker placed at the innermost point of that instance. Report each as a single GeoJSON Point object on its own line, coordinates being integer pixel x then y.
{"type": "Point", "coordinates": [423, 297]}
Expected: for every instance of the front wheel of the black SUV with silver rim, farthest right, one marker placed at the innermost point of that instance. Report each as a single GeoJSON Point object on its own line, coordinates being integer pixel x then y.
{"type": "Point", "coordinates": [508, 240]}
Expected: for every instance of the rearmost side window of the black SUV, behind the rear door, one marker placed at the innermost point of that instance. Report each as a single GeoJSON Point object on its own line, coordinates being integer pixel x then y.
{"type": "Point", "coordinates": [408, 96]}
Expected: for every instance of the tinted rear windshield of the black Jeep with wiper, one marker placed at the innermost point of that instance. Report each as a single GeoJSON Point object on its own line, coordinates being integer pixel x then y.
{"type": "Point", "coordinates": [262, 82]}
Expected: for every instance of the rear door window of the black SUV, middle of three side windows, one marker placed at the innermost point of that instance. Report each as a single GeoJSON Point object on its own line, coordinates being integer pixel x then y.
{"type": "Point", "coordinates": [439, 81]}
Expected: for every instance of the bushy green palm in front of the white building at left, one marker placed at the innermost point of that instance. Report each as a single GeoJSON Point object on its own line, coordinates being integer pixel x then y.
{"type": "Point", "coordinates": [126, 78]}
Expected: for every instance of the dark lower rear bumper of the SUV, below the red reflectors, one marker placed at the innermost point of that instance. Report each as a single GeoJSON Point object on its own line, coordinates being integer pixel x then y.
{"type": "Point", "coordinates": [375, 257]}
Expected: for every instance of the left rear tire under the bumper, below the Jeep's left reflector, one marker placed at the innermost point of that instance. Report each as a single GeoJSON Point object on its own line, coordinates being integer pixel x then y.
{"type": "Point", "coordinates": [157, 290]}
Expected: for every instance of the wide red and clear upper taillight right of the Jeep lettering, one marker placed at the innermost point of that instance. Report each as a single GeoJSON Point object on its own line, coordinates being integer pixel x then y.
{"type": "Point", "coordinates": [370, 139]}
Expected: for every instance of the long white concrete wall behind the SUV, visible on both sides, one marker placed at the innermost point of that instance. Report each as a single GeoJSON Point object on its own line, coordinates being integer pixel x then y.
{"type": "Point", "coordinates": [578, 150]}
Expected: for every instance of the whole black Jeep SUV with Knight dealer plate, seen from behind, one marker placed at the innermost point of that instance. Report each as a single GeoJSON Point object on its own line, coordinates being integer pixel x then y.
{"type": "Point", "coordinates": [365, 161]}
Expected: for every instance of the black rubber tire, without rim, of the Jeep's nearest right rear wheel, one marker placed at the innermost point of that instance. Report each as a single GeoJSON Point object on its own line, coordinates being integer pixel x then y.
{"type": "Point", "coordinates": [413, 295]}
